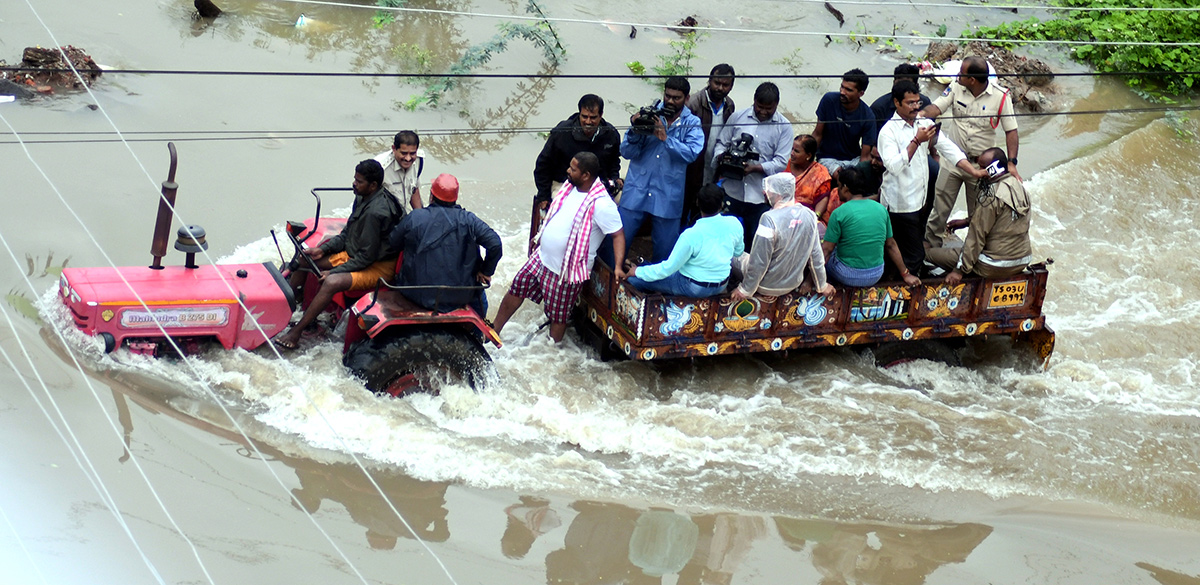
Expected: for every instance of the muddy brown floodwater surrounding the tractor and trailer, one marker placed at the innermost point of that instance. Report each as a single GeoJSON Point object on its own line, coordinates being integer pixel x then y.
{"type": "Point", "coordinates": [238, 468]}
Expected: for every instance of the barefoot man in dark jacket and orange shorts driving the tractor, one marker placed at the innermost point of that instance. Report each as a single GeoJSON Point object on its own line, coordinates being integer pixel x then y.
{"type": "Point", "coordinates": [357, 258]}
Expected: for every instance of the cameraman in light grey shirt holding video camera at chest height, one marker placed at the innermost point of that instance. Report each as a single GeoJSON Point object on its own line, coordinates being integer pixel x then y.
{"type": "Point", "coordinates": [742, 173]}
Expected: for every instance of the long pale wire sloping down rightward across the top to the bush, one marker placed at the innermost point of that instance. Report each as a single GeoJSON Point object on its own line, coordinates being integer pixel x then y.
{"type": "Point", "coordinates": [731, 29]}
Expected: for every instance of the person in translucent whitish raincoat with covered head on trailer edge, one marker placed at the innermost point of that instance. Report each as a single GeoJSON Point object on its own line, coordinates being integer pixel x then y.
{"type": "Point", "coordinates": [788, 248]}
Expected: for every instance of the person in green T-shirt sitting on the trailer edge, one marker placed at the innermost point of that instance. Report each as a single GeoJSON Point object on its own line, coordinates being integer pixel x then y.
{"type": "Point", "coordinates": [859, 236]}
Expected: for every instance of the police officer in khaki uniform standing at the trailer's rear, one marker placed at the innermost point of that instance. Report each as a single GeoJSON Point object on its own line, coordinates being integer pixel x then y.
{"type": "Point", "coordinates": [977, 108]}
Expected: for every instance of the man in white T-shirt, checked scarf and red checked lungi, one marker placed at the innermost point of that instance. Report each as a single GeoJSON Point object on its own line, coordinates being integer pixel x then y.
{"type": "Point", "coordinates": [565, 250]}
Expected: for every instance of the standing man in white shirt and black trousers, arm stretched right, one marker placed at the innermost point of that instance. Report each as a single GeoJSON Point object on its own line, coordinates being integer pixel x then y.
{"type": "Point", "coordinates": [904, 146]}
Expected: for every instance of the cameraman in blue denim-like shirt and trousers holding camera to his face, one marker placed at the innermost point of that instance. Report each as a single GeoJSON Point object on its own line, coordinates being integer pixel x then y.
{"type": "Point", "coordinates": [661, 144]}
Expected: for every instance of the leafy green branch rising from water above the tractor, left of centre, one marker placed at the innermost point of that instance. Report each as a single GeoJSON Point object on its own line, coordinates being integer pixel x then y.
{"type": "Point", "coordinates": [541, 34]}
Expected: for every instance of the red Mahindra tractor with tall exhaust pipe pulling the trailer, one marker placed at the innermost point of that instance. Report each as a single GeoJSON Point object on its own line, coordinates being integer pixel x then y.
{"type": "Point", "coordinates": [393, 345]}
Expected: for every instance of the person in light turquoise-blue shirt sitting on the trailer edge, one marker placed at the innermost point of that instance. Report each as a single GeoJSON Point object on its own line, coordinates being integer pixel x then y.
{"type": "Point", "coordinates": [699, 266]}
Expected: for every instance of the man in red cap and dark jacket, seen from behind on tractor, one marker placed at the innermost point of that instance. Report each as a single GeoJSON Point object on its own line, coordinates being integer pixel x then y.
{"type": "Point", "coordinates": [441, 245]}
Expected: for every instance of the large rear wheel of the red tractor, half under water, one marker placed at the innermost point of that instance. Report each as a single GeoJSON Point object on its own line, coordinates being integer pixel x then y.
{"type": "Point", "coordinates": [419, 361]}
